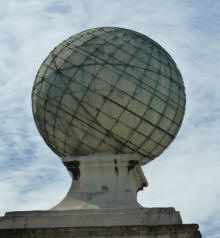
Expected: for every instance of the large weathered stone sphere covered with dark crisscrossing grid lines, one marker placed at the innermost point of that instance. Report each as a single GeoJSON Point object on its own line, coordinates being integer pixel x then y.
{"type": "Point", "coordinates": [108, 90]}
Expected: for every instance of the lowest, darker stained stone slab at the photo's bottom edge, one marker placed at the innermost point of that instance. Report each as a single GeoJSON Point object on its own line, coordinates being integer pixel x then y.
{"type": "Point", "coordinates": [166, 231]}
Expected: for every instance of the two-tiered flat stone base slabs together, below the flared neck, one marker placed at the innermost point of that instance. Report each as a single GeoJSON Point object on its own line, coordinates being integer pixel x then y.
{"type": "Point", "coordinates": [141, 222]}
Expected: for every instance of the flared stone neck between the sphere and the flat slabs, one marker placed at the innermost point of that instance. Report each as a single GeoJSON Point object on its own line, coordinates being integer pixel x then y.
{"type": "Point", "coordinates": [103, 181]}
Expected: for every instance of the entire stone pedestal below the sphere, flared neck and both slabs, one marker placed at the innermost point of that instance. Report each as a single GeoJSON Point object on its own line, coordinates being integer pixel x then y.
{"type": "Point", "coordinates": [100, 203]}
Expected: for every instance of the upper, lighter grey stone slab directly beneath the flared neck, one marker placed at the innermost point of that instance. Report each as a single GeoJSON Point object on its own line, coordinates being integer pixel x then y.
{"type": "Point", "coordinates": [90, 218]}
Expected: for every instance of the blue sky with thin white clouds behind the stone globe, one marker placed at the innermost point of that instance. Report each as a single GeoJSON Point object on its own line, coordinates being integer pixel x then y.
{"type": "Point", "coordinates": [187, 175]}
